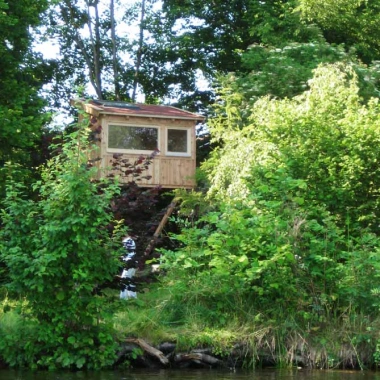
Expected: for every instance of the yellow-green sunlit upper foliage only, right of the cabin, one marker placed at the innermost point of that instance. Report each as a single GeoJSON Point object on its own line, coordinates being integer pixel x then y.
{"type": "Point", "coordinates": [311, 136]}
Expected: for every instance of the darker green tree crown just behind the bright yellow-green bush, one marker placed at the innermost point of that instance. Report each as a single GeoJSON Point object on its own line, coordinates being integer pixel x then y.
{"type": "Point", "coordinates": [280, 73]}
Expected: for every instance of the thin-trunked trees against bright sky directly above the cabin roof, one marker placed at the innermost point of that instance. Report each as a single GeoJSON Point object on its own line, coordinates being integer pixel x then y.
{"type": "Point", "coordinates": [98, 36]}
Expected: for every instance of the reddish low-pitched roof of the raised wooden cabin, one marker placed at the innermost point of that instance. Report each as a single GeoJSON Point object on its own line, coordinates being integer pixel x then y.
{"type": "Point", "coordinates": [137, 109]}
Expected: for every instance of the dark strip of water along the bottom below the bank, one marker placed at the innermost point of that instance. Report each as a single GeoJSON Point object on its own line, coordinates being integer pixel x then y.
{"type": "Point", "coordinates": [190, 375]}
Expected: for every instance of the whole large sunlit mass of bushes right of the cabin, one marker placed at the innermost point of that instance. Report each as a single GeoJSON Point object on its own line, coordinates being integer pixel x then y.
{"type": "Point", "coordinates": [294, 194]}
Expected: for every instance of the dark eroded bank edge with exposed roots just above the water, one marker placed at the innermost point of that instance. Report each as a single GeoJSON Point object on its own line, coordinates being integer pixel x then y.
{"type": "Point", "coordinates": [166, 355]}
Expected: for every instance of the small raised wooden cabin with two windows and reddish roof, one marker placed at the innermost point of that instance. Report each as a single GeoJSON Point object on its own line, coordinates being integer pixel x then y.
{"type": "Point", "coordinates": [133, 132]}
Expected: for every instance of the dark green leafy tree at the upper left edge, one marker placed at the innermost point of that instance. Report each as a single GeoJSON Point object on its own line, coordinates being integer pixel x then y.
{"type": "Point", "coordinates": [22, 75]}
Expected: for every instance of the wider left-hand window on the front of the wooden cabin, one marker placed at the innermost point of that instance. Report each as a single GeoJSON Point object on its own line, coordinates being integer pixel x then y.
{"type": "Point", "coordinates": [132, 138]}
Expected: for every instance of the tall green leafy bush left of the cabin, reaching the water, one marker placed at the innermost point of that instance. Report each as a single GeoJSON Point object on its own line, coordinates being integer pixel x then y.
{"type": "Point", "coordinates": [58, 249]}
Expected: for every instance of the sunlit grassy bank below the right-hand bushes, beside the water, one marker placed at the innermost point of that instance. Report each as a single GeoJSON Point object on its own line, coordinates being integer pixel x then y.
{"type": "Point", "coordinates": [251, 337]}
